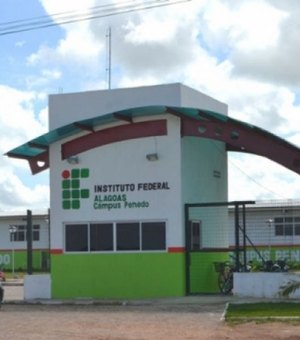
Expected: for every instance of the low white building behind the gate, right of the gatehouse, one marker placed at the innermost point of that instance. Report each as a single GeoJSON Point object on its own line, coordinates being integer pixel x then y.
{"type": "Point", "coordinates": [272, 231]}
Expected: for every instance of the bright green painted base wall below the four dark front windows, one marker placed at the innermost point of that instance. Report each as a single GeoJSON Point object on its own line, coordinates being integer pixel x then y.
{"type": "Point", "coordinates": [112, 276]}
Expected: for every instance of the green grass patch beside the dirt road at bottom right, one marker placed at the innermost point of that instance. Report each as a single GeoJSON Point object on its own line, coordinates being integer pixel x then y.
{"type": "Point", "coordinates": [270, 311]}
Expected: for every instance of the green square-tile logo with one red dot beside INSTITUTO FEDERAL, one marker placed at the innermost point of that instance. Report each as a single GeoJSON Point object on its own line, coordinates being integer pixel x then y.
{"type": "Point", "coordinates": [72, 193]}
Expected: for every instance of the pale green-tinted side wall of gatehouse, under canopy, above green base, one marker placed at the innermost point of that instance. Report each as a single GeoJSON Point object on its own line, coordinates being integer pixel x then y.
{"type": "Point", "coordinates": [202, 159]}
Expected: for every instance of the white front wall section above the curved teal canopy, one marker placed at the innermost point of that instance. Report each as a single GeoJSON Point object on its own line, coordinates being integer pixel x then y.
{"type": "Point", "coordinates": [68, 108]}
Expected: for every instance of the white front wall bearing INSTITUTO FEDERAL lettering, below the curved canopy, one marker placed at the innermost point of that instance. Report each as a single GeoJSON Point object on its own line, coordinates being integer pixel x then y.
{"type": "Point", "coordinates": [124, 163]}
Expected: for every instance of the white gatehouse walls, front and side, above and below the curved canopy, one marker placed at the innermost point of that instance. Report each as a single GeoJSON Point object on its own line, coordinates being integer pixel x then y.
{"type": "Point", "coordinates": [125, 162]}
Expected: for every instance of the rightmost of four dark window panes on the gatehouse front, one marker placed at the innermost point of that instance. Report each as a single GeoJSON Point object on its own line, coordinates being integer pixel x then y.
{"type": "Point", "coordinates": [154, 236]}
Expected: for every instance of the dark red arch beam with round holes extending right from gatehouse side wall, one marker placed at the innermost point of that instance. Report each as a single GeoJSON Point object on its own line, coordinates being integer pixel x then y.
{"type": "Point", "coordinates": [243, 138]}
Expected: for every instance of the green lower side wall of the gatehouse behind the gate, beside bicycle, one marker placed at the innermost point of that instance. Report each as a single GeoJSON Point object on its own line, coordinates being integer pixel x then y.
{"type": "Point", "coordinates": [203, 277]}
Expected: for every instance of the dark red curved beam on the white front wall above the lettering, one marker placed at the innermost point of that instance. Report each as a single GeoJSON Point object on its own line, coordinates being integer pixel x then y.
{"type": "Point", "coordinates": [112, 135]}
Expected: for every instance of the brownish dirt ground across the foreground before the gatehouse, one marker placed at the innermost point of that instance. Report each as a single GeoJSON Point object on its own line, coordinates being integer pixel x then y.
{"type": "Point", "coordinates": [139, 321]}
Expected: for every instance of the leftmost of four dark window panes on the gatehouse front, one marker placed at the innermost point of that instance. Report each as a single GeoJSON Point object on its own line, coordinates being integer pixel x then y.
{"type": "Point", "coordinates": [76, 237]}
